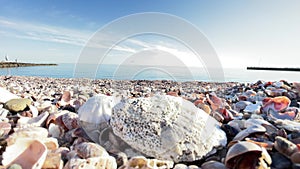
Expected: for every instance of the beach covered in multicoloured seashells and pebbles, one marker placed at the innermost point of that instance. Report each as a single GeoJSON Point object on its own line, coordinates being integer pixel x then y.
{"type": "Point", "coordinates": [130, 124]}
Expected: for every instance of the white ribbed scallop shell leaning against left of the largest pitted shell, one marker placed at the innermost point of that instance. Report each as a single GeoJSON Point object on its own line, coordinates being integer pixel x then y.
{"type": "Point", "coordinates": [97, 109]}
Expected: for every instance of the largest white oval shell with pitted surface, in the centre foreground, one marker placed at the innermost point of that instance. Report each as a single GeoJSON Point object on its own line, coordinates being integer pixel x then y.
{"type": "Point", "coordinates": [166, 127]}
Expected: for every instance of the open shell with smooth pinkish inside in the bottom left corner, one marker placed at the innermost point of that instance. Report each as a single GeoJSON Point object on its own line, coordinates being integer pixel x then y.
{"type": "Point", "coordinates": [26, 152]}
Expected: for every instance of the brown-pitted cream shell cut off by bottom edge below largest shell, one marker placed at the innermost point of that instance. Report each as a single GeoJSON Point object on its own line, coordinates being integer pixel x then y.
{"type": "Point", "coordinates": [141, 162]}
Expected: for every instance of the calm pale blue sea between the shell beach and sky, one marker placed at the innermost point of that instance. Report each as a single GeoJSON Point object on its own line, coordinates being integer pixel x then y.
{"type": "Point", "coordinates": [66, 70]}
